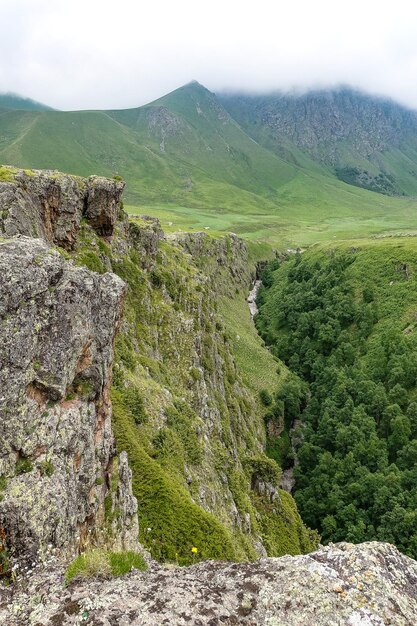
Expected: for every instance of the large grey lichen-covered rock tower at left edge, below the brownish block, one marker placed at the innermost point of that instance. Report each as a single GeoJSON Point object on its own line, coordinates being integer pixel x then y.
{"type": "Point", "coordinates": [57, 328]}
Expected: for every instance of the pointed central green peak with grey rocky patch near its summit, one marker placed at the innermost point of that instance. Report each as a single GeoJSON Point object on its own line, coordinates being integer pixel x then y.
{"type": "Point", "coordinates": [190, 125]}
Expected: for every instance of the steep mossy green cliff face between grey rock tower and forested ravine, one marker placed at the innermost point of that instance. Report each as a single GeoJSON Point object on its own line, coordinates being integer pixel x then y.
{"type": "Point", "coordinates": [185, 406]}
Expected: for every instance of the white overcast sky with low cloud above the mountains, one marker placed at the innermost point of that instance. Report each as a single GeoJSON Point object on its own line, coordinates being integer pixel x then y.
{"type": "Point", "coordinates": [102, 54]}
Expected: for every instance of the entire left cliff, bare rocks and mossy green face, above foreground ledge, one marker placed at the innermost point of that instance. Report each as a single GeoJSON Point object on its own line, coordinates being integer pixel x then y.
{"type": "Point", "coordinates": [191, 426]}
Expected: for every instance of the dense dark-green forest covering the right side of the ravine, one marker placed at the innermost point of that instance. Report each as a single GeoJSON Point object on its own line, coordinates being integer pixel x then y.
{"type": "Point", "coordinates": [344, 319]}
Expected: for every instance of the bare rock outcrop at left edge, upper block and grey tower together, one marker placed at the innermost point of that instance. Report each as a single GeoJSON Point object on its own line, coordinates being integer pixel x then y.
{"type": "Point", "coordinates": [57, 329]}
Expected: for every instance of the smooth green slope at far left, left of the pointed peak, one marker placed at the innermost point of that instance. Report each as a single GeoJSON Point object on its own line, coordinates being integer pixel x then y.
{"type": "Point", "coordinates": [81, 143]}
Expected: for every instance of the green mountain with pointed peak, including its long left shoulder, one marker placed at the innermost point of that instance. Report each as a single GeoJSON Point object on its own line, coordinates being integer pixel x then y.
{"type": "Point", "coordinates": [168, 151]}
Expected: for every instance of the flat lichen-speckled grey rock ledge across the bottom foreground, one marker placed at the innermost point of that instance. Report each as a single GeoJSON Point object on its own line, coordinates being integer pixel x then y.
{"type": "Point", "coordinates": [370, 584]}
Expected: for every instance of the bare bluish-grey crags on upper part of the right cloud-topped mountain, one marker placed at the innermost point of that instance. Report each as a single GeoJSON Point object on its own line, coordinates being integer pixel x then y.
{"type": "Point", "coordinates": [318, 121]}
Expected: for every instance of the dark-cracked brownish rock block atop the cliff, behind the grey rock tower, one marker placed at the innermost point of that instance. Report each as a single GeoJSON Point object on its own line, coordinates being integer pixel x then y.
{"type": "Point", "coordinates": [50, 205]}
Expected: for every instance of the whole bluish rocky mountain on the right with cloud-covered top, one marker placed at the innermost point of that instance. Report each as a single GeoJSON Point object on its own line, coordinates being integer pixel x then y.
{"type": "Point", "coordinates": [367, 141]}
